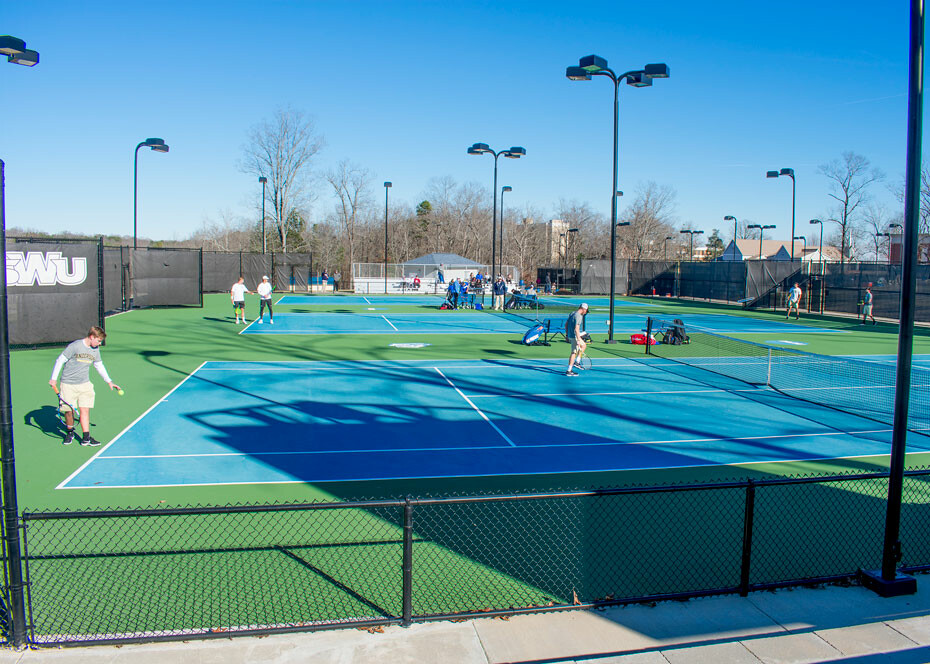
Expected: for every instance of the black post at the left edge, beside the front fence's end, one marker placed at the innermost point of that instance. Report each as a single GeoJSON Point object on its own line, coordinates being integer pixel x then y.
{"type": "Point", "coordinates": [7, 456]}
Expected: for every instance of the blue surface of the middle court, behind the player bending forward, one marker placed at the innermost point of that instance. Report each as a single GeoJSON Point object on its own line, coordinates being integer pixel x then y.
{"type": "Point", "coordinates": [485, 322]}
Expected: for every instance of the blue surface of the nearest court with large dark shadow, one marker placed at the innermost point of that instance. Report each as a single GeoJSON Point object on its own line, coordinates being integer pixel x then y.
{"type": "Point", "coordinates": [273, 422]}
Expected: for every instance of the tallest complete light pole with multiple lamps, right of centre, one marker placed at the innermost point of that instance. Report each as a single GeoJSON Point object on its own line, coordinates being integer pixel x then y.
{"type": "Point", "coordinates": [593, 65]}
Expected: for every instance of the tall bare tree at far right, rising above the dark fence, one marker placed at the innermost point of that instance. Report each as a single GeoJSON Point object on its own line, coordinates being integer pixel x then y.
{"type": "Point", "coordinates": [850, 178]}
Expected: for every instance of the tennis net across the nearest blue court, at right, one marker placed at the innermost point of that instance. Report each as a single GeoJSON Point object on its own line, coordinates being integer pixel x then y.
{"type": "Point", "coordinates": [861, 387]}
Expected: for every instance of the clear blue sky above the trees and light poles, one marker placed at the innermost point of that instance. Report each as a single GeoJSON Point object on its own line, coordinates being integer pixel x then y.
{"type": "Point", "coordinates": [403, 88]}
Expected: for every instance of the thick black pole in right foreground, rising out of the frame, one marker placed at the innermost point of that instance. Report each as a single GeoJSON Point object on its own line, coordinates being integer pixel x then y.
{"type": "Point", "coordinates": [891, 552]}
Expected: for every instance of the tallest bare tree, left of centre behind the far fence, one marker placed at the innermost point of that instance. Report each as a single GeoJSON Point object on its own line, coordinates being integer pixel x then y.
{"type": "Point", "coordinates": [282, 149]}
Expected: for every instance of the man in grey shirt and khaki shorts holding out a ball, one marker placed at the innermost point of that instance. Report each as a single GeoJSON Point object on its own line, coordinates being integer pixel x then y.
{"type": "Point", "coordinates": [77, 392]}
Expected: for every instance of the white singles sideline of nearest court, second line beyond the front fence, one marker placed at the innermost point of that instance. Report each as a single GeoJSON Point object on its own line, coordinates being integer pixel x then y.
{"type": "Point", "coordinates": [497, 447]}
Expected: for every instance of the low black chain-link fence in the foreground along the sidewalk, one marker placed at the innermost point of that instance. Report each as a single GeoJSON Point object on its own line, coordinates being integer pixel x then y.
{"type": "Point", "coordinates": [117, 576]}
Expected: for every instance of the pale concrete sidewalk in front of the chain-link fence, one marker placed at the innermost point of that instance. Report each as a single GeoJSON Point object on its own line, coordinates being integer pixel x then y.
{"type": "Point", "coordinates": [832, 624]}
